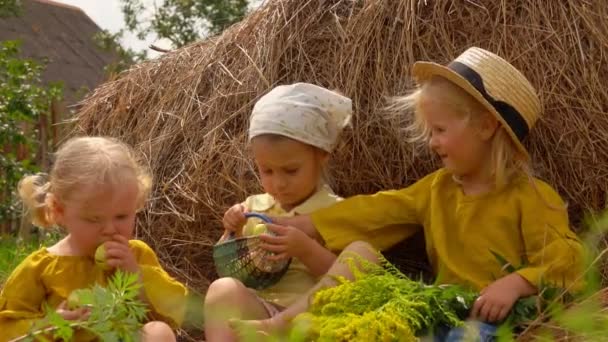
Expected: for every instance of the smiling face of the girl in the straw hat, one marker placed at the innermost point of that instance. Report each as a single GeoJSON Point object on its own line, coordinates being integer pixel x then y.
{"type": "Point", "coordinates": [463, 144]}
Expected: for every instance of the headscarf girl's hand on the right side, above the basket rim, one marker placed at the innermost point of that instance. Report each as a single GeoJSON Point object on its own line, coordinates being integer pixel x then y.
{"type": "Point", "coordinates": [288, 241]}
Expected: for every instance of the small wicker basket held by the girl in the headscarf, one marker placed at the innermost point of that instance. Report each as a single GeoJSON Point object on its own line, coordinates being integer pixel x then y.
{"type": "Point", "coordinates": [244, 259]}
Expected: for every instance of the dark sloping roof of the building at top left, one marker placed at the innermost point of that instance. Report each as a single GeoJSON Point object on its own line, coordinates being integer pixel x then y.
{"type": "Point", "coordinates": [63, 36]}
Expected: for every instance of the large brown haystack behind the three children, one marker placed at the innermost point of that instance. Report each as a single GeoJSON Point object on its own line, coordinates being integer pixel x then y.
{"type": "Point", "coordinates": [188, 110]}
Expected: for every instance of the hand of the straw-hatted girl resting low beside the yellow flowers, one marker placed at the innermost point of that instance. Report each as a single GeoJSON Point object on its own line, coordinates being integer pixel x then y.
{"type": "Point", "coordinates": [496, 300]}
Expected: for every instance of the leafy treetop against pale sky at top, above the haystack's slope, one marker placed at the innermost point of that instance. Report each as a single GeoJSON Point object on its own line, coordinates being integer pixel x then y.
{"type": "Point", "coordinates": [182, 21]}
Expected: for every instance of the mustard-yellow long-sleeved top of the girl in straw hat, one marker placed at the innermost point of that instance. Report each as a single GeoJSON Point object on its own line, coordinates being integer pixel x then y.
{"type": "Point", "coordinates": [526, 224]}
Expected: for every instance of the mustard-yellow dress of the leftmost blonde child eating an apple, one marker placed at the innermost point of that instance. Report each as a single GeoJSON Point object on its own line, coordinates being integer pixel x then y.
{"type": "Point", "coordinates": [46, 278]}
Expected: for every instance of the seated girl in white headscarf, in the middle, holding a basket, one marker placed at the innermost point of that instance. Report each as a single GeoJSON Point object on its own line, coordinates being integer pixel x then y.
{"type": "Point", "coordinates": [293, 129]}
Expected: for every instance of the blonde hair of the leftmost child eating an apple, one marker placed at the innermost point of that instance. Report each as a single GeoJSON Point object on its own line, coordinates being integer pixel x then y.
{"type": "Point", "coordinates": [79, 162]}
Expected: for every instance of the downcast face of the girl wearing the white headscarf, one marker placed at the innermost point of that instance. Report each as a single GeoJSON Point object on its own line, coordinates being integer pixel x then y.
{"type": "Point", "coordinates": [289, 170]}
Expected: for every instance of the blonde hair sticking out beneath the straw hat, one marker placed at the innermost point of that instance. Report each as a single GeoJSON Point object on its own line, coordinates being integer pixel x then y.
{"type": "Point", "coordinates": [506, 160]}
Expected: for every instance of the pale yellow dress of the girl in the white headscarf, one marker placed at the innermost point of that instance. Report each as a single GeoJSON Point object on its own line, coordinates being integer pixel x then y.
{"type": "Point", "coordinates": [297, 280]}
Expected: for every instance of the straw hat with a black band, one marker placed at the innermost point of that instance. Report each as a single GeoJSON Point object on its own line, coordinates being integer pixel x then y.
{"type": "Point", "coordinates": [496, 84]}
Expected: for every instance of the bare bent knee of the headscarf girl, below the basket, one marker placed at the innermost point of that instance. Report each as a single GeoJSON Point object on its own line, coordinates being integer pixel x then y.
{"type": "Point", "coordinates": [226, 299]}
